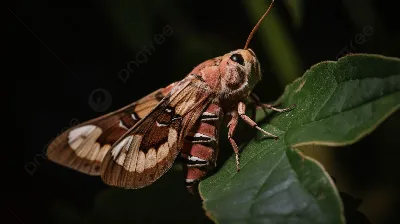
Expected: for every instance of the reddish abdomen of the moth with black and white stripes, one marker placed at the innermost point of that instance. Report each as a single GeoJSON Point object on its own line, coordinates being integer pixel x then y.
{"type": "Point", "coordinates": [200, 149]}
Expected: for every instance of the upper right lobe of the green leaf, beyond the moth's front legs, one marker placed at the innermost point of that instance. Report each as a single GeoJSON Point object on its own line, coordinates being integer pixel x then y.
{"type": "Point", "coordinates": [340, 102]}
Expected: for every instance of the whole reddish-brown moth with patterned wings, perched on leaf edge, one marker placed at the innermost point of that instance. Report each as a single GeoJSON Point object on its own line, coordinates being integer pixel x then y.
{"type": "Point", "coordinates": [135, 145]}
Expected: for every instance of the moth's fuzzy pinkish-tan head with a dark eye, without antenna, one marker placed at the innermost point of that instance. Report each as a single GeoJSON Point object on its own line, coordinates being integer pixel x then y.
{"type": "Point", "coordinates": [239, 70]}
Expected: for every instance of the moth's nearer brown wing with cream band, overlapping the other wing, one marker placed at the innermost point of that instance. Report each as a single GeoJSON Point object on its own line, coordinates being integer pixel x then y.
{"type": "Point", "coordinates": [149, 149]}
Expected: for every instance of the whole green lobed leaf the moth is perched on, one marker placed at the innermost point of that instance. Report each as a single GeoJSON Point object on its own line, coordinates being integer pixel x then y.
{"type": "Point", "coordinates": [337, 104]}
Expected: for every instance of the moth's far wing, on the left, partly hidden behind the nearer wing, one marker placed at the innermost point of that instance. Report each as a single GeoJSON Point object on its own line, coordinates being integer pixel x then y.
{"type": "Point", "coordinates": [84, 146]}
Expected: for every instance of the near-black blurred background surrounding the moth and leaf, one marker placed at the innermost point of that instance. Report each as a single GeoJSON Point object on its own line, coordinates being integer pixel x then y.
{"type": "Point", "coordinates": [59, 53]}
